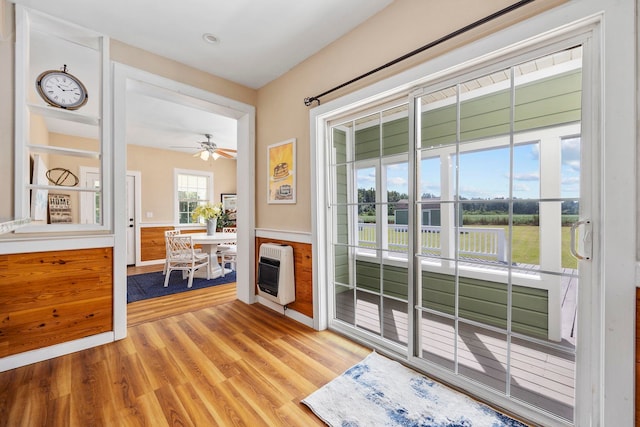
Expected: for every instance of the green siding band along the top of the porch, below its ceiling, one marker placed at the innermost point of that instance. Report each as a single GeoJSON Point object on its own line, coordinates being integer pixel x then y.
{"type": "Point", "coordinates": [548, 102]}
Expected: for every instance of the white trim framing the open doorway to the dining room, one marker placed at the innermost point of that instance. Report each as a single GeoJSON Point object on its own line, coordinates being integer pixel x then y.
{"type": "Point", "coordinates": [127, 79]}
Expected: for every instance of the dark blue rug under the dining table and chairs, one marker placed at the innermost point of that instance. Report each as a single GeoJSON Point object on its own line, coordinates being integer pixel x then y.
{"type": "Point", "coordinates": [151, 285]}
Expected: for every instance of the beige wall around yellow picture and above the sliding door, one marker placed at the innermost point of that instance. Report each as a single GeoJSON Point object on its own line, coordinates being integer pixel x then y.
{"type": "Point", "coordinates": [403, 26]}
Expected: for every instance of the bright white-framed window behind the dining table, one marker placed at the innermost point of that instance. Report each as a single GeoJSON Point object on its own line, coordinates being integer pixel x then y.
{"type": "Point", "coordinates": [193, 188]}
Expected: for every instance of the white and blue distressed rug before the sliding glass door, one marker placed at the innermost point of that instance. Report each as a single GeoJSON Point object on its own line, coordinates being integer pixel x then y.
{"type": "Point", "coordinates": [381, 392]}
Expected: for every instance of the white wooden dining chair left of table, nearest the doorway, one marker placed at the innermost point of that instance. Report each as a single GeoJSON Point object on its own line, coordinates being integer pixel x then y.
{"type": "Point", "coordinates": [183, 257]}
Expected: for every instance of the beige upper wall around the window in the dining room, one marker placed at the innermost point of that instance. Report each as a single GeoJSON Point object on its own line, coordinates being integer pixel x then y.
{"type": "Point", "coordinates": [156, 169]}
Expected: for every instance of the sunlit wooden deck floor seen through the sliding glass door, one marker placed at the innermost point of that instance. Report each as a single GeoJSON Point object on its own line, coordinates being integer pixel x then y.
{"type": "Point", "coordinates": [539, 375]}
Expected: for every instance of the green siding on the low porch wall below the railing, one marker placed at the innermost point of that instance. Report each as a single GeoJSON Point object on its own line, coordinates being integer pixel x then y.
{"type": "Point", "coordinates": [480, 300]}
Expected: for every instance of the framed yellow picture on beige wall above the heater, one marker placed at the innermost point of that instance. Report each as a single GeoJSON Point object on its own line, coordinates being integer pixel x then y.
{"type": "Point", "coordinates": [282, 172]}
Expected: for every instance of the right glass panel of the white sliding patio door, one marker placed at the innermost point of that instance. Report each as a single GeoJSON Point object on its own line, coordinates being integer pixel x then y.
{"type": "Point", "coordinates": [510, 189]}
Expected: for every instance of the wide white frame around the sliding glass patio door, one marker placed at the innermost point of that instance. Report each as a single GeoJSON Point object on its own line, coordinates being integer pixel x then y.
{"type": "Point", "coordinates": [610, 306]}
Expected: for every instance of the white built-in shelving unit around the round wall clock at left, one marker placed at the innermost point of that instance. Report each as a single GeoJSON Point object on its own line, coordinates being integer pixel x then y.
{"type": "Point", "coordinates": [49, 137]}
